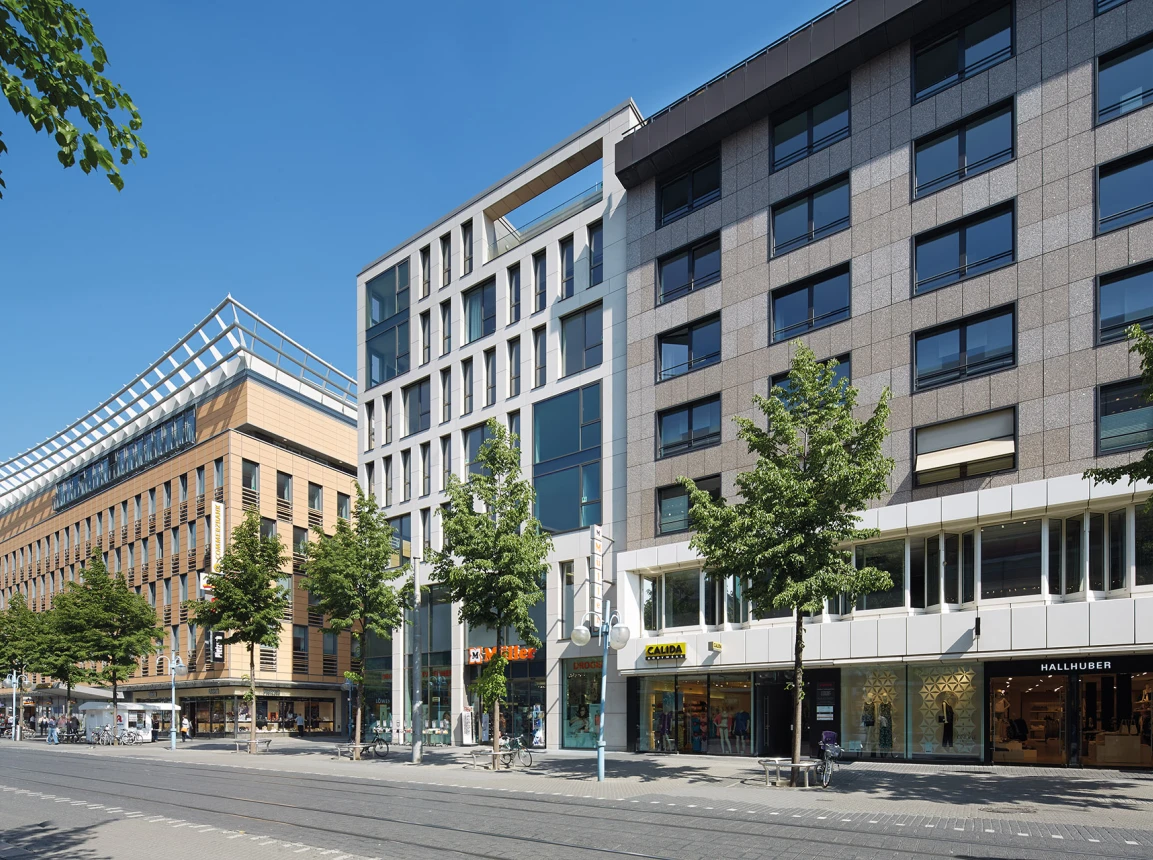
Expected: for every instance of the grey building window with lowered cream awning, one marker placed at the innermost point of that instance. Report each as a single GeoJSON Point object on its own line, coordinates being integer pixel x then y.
{"type": "Point", "coordinates": [966, 448]}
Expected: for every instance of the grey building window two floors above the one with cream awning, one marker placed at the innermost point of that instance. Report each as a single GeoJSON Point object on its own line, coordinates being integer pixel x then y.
{"type": "Point", "coordinates": [964, 250]}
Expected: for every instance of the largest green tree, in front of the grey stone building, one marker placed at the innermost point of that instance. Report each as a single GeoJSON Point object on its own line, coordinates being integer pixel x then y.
{"type": "Point", "coordinates": [817, 465]}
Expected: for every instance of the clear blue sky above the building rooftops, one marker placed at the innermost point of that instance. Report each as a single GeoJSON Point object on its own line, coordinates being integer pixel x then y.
{"type": "Point", "coordinates": [292, 145]}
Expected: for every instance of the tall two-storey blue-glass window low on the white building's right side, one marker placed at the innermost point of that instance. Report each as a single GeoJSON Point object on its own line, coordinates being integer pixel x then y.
{"type": "Point", "coordinates": [567, 459]}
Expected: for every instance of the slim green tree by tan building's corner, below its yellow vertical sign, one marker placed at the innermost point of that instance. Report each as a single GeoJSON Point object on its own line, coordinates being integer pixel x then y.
{"type": "Point", "coordinates": [247, 603]}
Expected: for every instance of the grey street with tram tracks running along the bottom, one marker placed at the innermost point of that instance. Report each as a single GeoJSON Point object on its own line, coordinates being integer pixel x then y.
{"type": "Point", "coordinates": [96, 808]}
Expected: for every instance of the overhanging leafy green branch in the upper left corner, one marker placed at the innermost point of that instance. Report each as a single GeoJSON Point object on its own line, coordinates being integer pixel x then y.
{"type": "Point", "coordinates": [52, 66]}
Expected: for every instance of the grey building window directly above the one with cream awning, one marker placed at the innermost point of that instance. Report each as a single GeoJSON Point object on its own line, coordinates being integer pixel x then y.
{"type": "Point", "coordinates": [966, 349]}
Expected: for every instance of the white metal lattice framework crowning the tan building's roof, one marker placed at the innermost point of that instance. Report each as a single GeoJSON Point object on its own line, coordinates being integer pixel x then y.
{"type": "Point", "coordinates": [230, 341]}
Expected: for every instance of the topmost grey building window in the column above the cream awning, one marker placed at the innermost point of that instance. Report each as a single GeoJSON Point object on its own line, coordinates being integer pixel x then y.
{"type": "Point", "coordinates": [963, 54]}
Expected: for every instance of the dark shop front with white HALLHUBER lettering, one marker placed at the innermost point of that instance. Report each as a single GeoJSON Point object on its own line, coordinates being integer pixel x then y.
{"type": "Point", "coordinates": [1072, 711]}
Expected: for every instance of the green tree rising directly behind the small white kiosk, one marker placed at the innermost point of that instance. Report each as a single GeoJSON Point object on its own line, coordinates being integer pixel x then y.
{"type": "Point", "coordinates": [118, 627]}
